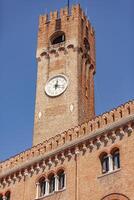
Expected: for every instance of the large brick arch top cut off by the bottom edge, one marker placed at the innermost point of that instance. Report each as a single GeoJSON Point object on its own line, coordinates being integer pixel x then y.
{"type": "Point", "coordinates": [115, 196]}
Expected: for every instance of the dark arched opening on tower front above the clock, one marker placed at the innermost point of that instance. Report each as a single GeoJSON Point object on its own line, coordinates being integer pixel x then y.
{"type": "Point", "coordinates": [57, 38]}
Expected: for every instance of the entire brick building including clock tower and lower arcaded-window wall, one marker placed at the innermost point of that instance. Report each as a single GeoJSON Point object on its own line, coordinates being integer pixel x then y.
{"type": "Point", "coordinates": [75, 154]}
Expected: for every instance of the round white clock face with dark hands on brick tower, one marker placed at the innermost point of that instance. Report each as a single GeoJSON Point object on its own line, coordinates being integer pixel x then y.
{"type": "Point", "coordinates": [56, 85]}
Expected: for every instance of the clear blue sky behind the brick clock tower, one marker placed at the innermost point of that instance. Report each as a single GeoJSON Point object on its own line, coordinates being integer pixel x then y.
{"type": "Point", "coordinates": [113, 23]}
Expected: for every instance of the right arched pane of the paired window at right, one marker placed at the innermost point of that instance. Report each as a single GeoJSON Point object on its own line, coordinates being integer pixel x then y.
{"type": "Point", "coordinates": [116, 159]}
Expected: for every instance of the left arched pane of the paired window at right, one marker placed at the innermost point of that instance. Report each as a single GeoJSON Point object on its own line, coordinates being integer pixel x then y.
{"type": "Point", "coordinates": [104, 162]}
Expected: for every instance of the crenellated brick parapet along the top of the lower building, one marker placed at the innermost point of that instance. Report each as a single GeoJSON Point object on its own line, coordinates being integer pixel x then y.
{"type": "Point", "coordinates": [88, 128]}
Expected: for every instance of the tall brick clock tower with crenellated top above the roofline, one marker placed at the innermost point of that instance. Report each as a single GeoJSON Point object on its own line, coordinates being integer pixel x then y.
{"type": "Point", "coordinates": [65, 77]}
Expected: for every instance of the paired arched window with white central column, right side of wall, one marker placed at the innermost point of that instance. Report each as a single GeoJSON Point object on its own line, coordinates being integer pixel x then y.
{"type": "Point", "coordinates": [110, 162]}
